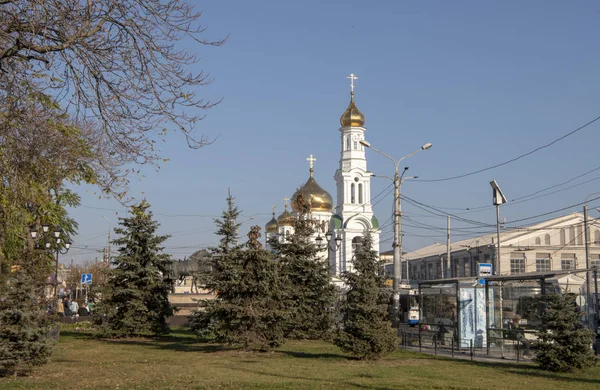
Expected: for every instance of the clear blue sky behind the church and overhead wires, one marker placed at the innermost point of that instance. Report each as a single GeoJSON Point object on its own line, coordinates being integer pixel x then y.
{"type": "Point", "coordinates": [483, 81]}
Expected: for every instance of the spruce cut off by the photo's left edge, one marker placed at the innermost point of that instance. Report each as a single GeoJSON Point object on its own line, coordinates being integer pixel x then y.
{"type": "Point", "coordinates": [25, 327]}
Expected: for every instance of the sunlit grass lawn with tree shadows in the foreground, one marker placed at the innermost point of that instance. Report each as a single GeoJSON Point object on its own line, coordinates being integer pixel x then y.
{"type": "Point", "coordinates": [180, 362]}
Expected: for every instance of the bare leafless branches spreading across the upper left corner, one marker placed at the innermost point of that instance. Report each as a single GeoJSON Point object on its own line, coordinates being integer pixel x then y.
{"type": "Point", "coordinates": [114, 62]}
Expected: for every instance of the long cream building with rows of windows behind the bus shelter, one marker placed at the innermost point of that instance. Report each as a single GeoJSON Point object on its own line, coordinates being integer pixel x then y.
{"type": "Point", "coordinates": [556, 244]}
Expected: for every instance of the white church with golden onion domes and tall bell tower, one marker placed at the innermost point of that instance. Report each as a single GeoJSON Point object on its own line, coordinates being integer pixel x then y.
{"type": "Point", "coordinates": [340, 227]}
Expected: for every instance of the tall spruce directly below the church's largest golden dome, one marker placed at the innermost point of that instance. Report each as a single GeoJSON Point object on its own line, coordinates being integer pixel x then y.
{"type": "Point", "coordinates": [310, 293]}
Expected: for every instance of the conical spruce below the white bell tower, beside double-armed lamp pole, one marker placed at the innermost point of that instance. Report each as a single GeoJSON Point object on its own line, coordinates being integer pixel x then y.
{"type": "Point", "coordinates": [366, 330]}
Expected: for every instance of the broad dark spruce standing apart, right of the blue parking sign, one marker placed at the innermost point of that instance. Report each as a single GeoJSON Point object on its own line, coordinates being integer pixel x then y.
{"type": "Point", "coordinates": [135, 300]}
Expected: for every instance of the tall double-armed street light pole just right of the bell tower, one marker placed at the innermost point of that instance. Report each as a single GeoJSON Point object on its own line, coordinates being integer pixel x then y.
{"type": "Point", "coordinates": [397, 245]}
